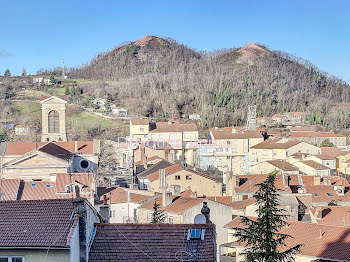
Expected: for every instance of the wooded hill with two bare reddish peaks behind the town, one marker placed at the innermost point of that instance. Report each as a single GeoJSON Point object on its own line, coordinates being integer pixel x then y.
{"type": "Point", "coordinates": [159, 77]}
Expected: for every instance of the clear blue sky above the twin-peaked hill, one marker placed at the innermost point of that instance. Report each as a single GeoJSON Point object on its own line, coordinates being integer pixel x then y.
{"type": "Point", "coordinates": [38, 34]}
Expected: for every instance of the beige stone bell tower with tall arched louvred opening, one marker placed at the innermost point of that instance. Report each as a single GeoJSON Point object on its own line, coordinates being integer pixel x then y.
{"type": "Point", "coordinates": [53, 119]}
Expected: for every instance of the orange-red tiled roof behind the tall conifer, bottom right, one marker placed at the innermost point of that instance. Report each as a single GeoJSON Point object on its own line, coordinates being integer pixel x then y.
{"type": "Point", "coordinates": [322, 241]}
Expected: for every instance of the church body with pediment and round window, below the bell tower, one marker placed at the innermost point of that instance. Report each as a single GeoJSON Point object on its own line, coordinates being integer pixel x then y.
{"type": "Point", "coordinates": [37, 161]}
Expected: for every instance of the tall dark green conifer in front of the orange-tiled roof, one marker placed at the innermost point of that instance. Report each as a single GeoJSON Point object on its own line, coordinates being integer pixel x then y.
{"type": "Point", "coordinates": [262, 237]}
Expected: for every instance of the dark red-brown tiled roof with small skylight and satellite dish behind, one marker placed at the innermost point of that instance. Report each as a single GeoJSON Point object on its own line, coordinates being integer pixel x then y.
{"type": "Point", "coordinates": [150, 242]}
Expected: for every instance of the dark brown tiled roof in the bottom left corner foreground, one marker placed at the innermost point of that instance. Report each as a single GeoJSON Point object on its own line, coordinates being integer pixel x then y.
{"type": "Point", "coordinates": [36, 223]}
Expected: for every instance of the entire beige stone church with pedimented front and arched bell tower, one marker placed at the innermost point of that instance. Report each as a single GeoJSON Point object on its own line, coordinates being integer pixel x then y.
{"type": "Point", "coordinates": [39, 161]}
